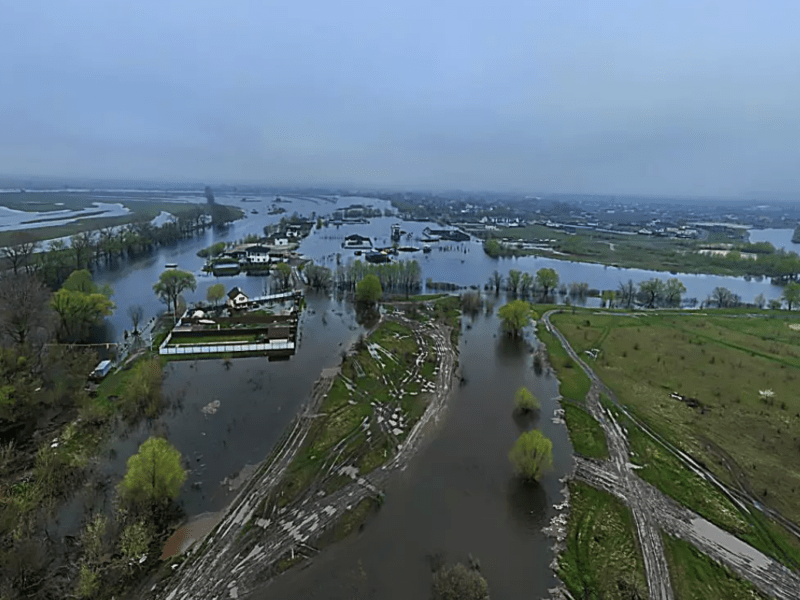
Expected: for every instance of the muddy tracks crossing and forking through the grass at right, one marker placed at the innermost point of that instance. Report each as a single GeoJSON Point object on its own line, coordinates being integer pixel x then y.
{"type": "Point", "coordinates": [653, 511]}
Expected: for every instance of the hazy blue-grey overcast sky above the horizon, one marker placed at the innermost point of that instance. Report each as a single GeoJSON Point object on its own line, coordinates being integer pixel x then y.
{"type": "Point", "coordinates": [683, 97]}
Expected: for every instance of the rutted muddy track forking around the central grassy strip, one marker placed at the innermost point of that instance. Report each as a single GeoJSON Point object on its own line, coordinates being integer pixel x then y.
{"type": "Point", "coordinates": [229, 564]}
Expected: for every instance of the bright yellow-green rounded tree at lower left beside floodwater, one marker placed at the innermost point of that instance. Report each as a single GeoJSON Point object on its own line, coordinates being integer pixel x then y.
{"type": "Point", "coordinates": [154, 475]}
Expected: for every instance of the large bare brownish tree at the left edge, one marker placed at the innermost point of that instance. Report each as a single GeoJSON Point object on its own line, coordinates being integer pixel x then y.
{"type": "Point", "coordinates": [24, 308]}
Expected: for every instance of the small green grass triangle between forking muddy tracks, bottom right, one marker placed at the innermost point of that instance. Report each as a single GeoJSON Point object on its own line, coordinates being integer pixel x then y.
{"type": "Point", "coordinates": [697, 577]}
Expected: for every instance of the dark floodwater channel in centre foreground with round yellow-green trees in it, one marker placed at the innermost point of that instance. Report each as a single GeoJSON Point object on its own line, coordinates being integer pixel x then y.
{"type": "Point", "coordinates": [458, 496]}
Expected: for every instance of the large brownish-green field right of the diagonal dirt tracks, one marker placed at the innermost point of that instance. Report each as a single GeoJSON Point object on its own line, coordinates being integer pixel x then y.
{"type": "Point", "coordinates": [722, 361]}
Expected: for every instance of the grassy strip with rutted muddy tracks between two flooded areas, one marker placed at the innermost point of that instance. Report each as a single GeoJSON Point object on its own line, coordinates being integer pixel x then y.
{"type": "Point", "coordinates": [339, 452]}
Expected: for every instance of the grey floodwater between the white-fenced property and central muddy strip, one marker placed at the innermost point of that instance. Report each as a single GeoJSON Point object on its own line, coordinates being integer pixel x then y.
{"type": "Point", "coordinates": [248, 404]}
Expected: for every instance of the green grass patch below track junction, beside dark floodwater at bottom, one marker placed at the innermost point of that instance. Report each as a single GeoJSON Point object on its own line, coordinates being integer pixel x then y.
{"type": "Point", "coordinates": [602, 559]}
